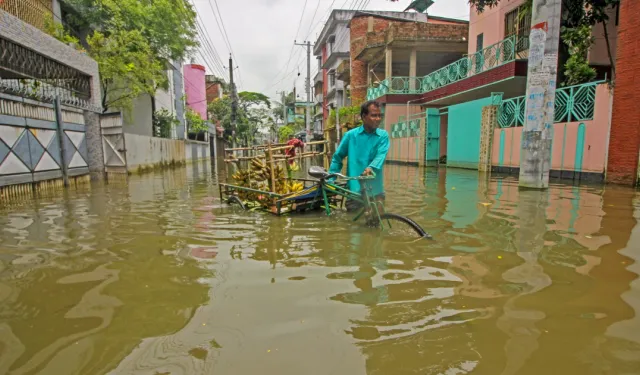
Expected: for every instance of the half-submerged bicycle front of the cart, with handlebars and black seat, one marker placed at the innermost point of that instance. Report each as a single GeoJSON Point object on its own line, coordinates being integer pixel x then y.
{"type": "Point", "coordinates": [371, 208]}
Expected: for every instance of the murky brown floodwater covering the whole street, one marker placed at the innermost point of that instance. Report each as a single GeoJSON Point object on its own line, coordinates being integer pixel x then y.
{"type": "Point", "coordinates": [159, 277]}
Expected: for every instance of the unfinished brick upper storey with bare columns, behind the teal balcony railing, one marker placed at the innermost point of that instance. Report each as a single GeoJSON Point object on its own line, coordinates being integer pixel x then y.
{"type": "Point", "coordinates": [386, 44]}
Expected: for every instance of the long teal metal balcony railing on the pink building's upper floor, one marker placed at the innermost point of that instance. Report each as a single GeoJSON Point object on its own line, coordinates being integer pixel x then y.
{"type": "Point", "coordinates": [491, 57]}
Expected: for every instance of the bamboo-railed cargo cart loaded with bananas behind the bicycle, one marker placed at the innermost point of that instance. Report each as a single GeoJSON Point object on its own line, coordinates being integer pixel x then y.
{"type": "Point", "coordinates": [273, 155]}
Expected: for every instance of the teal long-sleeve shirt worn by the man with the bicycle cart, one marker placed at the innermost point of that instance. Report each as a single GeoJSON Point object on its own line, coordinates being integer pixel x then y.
{"type": "Point", "coordinates": [363, 150]}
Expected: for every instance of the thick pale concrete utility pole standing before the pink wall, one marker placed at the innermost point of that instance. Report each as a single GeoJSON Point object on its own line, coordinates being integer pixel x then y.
{"type": "Point", "coordinates": [537, 134]}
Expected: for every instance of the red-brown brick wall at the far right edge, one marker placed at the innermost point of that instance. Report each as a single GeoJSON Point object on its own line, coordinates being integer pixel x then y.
{"type": "Point", "coordinates": [624, 143]}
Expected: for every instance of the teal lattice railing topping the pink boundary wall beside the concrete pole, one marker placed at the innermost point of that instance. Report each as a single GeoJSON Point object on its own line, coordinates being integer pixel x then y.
{"type": "Point", "coordinates": [573, 103]}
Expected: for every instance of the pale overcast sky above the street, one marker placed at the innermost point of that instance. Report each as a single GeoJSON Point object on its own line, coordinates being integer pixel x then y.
{"type": "Point", "coordinates": [261, 34]}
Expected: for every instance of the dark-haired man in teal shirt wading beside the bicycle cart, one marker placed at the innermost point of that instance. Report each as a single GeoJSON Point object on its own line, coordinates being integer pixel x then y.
{"type": "Point", "coordinates": [365, 148]}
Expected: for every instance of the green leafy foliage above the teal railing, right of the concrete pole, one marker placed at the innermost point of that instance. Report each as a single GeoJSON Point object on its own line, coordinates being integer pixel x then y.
{"type": "Point", "coordinates": [579, 40]}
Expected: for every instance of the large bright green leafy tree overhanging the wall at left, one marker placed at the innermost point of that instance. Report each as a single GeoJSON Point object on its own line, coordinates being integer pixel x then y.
{"type": "Point", "coordinates": [132, 42]}
